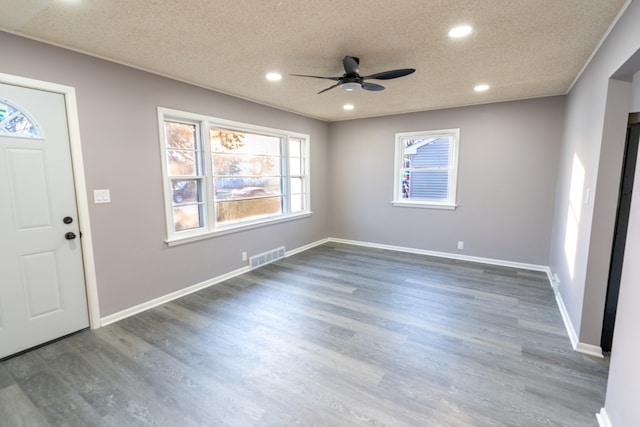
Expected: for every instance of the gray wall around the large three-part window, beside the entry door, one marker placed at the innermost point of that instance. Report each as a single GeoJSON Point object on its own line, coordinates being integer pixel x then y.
{"type": "Point", "coordinates": [119, 130]}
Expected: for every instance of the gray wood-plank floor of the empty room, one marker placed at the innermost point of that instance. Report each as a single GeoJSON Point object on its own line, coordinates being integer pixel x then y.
{"type": "Point", "coordinates": [335, 336]}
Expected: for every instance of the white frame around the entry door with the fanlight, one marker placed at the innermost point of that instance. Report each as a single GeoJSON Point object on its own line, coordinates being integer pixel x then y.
{"type": "Point", "coordinates": [82, 200]}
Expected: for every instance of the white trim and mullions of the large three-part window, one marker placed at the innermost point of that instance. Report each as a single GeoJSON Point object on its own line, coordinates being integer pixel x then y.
{"type": "Point", "coordinates": [204, 123]}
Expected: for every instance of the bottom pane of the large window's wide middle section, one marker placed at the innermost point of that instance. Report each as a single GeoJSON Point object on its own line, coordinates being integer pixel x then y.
{"type": "Point", "coordinates": [240, 207]}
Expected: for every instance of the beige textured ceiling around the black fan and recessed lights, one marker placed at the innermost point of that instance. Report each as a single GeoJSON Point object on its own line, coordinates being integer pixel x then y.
{"type": "Point", "coordinates": [522, 48]}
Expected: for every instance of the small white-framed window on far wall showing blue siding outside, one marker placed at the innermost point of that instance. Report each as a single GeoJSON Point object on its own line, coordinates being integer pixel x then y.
{"type": "Point", "coordinates": [426, 168]}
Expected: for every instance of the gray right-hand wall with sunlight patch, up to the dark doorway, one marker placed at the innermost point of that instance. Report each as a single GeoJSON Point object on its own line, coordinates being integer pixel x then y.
{"type": "Point", "coordinates": [591, 159]}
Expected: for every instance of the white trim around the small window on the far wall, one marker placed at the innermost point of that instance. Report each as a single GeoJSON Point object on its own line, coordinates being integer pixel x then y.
{"type": "Point", "coordinates": [451, 203]}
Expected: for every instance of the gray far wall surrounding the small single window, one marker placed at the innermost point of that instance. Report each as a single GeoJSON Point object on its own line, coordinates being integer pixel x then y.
{"type": "Point", "coordinates": [506, 181]}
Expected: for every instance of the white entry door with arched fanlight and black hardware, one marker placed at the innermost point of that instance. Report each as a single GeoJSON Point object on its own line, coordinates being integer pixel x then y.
{"type": "Point", "coordinates": [42, 288]}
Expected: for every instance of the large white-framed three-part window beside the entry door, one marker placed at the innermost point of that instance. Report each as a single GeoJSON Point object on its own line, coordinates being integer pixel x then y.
{"type": "Point", "coordinates": [222, 176]}
